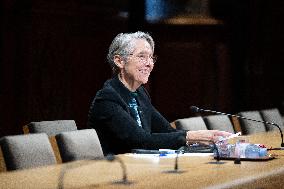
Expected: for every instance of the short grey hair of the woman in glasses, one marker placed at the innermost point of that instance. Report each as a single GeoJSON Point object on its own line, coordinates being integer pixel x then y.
{"type": "Point", "coordinates": [122, 45]}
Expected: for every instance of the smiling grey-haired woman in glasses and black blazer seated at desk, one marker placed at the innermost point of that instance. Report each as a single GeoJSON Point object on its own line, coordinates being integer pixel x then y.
{"type": "Point", "coordinates": [122, 113]}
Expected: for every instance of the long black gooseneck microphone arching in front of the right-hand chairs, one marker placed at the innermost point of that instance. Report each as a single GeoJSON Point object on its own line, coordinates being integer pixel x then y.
{"type": "Point", "coordinates": [195, 109]}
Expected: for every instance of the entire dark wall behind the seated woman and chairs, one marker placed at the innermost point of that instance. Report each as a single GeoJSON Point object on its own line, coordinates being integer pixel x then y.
{"type": "Point", "coordinates": [224, 55]}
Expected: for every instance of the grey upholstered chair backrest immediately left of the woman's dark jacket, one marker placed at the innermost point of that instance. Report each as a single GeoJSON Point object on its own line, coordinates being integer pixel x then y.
{"type": "Point", "coordinates": [78, 145]}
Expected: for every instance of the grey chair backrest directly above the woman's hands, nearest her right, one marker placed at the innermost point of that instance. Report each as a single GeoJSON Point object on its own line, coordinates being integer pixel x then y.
{"type": "Point", "coordinates": [191, 124]}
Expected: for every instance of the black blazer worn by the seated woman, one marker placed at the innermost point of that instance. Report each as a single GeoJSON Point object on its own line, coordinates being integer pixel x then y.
{"type": "Point", "coordinates": [118, 130]}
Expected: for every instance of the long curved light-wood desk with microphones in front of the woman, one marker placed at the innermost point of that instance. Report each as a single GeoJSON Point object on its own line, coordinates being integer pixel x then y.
{"type": "Point", "coordinates": [200, 172]}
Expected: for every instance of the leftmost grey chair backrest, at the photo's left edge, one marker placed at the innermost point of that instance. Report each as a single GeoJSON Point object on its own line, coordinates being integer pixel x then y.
{"type": "Point", "coordinates": [27, 151]}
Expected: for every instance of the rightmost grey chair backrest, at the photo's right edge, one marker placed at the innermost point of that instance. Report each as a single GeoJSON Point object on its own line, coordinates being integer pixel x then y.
{"type": "Point", "coordinates": [272, 115]}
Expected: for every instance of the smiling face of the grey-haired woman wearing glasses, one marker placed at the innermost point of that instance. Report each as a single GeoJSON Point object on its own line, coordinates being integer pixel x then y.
{"type": "Point", "coordinates": [139, 64]}
